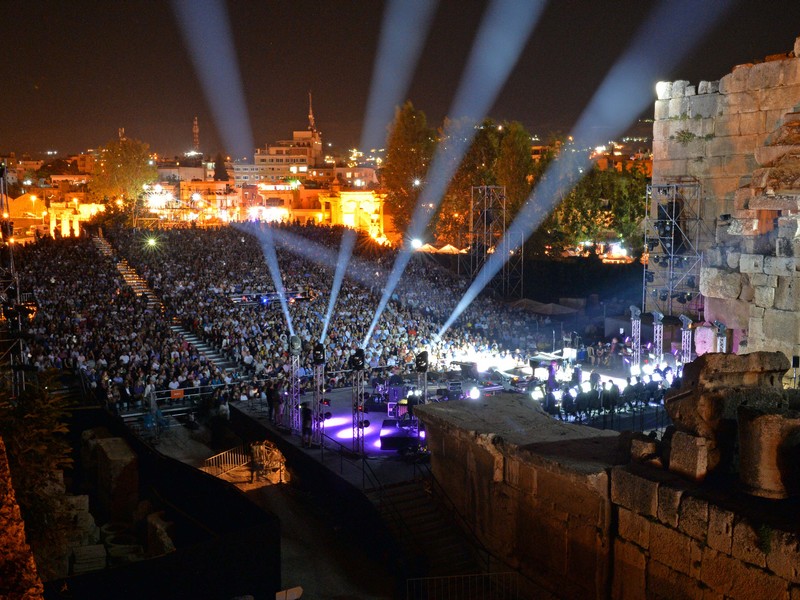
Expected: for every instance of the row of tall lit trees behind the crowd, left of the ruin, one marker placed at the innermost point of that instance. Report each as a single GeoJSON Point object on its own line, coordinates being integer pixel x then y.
{"type": "Point", "coordinates": [604, 205]}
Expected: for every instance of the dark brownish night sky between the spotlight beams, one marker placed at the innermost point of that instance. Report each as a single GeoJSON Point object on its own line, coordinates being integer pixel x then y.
{"type": "Point", "coordinates": [77, 71]}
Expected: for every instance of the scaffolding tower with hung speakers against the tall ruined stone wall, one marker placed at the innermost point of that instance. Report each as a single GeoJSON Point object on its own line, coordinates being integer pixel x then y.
{"type": "Point", "coordinates": [673, 234]}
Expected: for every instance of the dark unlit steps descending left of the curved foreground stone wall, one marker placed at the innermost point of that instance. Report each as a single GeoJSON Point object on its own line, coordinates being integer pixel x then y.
{"type": "Point", "coordinates": [424, 532]}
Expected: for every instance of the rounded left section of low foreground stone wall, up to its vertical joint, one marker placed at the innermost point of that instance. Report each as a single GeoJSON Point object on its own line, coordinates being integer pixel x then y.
{"type": "Point", "coordinates": [550, 522]}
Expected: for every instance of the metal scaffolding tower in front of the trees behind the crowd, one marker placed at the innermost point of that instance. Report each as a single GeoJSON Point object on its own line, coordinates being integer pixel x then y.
{"type": "Point", "coordinates": [488, 221]}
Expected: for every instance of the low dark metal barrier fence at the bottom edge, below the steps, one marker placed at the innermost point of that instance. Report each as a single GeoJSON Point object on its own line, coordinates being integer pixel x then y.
{"type": "Point", "coordinates": [488, 586]}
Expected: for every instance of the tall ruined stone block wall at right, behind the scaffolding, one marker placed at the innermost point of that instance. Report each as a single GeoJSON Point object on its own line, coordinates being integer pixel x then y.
{"type": "Point", "coordinates": [739, 138]}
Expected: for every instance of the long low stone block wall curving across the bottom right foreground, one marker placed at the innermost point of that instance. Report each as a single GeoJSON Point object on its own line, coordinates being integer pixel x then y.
{"type": "Point", "coordinates": [624, 532]}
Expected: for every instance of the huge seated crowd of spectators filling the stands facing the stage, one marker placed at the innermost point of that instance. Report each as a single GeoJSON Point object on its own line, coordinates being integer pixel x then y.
{"type": "Point", "coordinates": [89, 319]}
